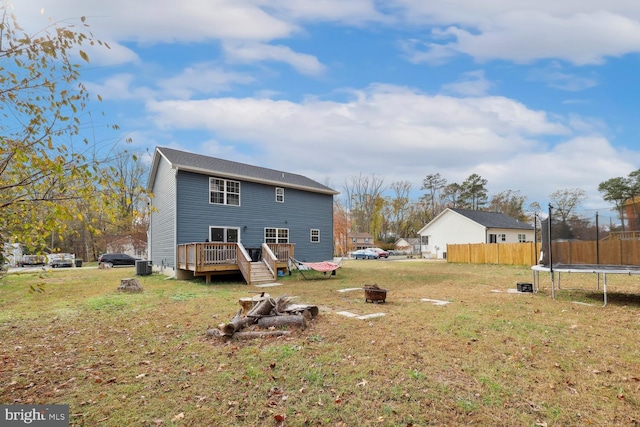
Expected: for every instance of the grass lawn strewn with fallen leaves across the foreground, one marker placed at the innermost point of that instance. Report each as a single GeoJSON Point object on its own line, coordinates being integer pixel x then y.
{"type": "Point", "coordinates": [490, 357]}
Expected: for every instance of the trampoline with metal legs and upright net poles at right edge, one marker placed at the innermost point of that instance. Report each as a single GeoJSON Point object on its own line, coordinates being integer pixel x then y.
{"type": "Point", "coordinates": [555, 269]}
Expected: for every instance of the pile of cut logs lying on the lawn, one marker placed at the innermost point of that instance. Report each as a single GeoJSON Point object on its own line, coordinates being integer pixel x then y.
{"type": "Point", "coordinates": [272, 317]}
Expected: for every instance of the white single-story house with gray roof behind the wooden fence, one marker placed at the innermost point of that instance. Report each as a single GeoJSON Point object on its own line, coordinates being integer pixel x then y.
{"type": "Point", "coordinates": [458, 226]}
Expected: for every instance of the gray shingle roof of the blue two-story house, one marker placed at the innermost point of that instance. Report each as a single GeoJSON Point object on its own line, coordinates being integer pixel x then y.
{"type": "Point", "coordinates": [228, 169]}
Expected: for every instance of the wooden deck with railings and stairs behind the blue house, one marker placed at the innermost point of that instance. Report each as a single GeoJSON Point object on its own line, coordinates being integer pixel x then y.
{"type": "Point", "coordinates": [211, 258]}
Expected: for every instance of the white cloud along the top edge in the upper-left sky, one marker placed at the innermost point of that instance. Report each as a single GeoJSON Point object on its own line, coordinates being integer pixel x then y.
{"type": "Point", "coordinates": [153, 21]}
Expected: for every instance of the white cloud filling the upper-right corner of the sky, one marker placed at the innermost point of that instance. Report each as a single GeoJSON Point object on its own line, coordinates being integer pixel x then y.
{"type": "Point", "coordinates": [578, 32]}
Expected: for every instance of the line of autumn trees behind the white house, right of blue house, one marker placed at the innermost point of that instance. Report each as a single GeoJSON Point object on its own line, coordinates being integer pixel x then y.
{"type": "Point", "coordinates": [366, 206]}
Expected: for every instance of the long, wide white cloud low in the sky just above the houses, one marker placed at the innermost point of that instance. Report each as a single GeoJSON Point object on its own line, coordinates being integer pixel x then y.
{"type": "Point", "coordinates": [392, 131]}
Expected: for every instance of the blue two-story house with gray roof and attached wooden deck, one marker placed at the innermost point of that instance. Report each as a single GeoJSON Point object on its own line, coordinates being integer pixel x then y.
{"type": "Point", "coordinates": [212, 216]}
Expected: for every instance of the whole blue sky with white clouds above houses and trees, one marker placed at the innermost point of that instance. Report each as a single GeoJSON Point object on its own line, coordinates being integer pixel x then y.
{"type": "Point", "coordinates": [535, 96]}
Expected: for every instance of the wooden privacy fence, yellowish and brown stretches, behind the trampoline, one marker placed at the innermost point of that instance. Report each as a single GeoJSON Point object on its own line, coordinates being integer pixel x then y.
{"type": "Point", "coordinates": [609, 252]}
